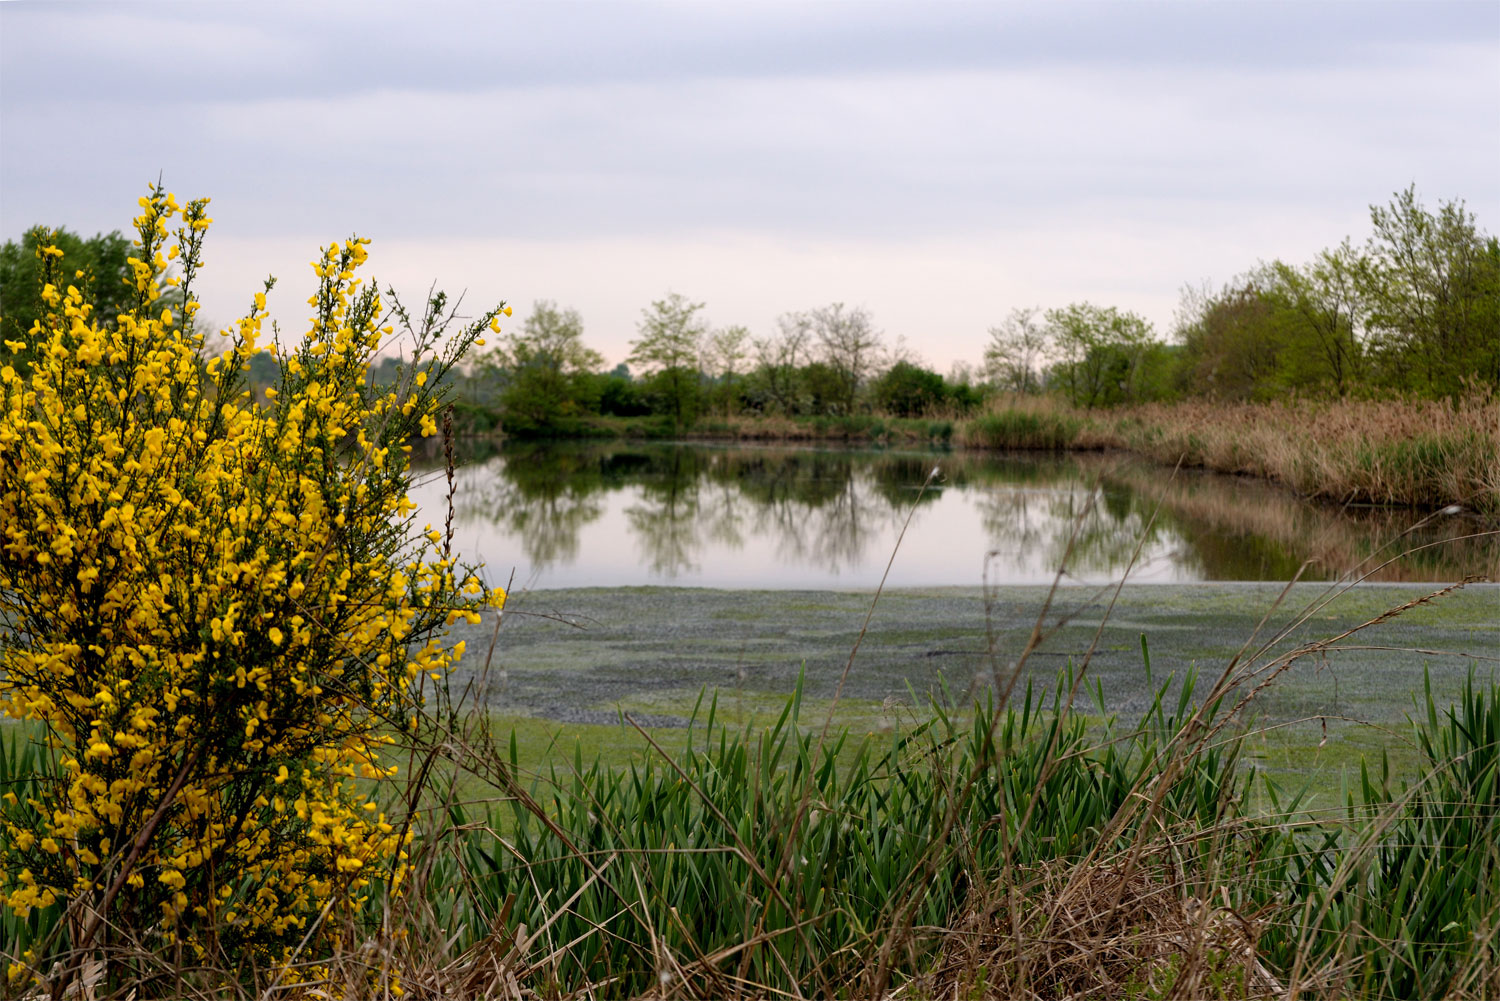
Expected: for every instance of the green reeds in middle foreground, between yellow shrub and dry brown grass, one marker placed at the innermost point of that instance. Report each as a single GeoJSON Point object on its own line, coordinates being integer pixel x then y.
{"type": "Point", "coordinates": [674, 873]}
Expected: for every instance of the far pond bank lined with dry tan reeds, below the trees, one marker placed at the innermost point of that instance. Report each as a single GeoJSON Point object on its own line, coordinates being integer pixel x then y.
{"type": "Point", "coordinates": [1412, 454]}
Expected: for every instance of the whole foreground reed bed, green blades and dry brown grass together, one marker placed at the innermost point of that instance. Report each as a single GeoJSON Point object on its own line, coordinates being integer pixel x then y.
{"type": "Point", "coordinates": [1022, 853]}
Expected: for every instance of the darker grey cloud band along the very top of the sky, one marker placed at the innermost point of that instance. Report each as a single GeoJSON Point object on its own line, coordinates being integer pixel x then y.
{"type": "Point", "coordinates": [238, 52]}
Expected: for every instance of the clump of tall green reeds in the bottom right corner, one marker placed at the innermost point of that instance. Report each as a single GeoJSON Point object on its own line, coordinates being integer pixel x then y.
{"type": "Point", "coordinates": [1409, 904]}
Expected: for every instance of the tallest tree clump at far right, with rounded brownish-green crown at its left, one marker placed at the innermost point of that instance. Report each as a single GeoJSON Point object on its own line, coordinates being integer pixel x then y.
{"type": "Point", "coordinates": [1418, 310]}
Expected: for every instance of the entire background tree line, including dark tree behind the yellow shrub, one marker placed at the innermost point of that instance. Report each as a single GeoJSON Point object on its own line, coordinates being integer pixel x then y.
{"type": "Point", "coordinates": [1415, 310]}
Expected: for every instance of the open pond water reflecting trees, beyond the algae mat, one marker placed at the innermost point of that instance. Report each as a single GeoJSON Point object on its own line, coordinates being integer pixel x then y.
{"type": "Point", "coordinates": [778, 517]}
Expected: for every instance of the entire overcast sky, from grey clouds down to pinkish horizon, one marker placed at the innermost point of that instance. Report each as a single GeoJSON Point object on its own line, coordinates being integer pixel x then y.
{"type": "Point", "coordinates": [935, 163]}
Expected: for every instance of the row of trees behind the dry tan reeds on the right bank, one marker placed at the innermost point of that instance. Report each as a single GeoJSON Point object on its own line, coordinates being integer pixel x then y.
{"type": "Point", "coordinates": [1415, 310]}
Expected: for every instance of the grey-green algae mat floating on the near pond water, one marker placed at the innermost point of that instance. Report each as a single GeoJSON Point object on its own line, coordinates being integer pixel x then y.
{"type": "Point", "coordinates": [572, 661]}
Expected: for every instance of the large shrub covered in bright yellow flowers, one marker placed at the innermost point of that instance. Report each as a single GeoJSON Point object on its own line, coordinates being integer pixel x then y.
{"type": "Point", "coordinates": [218, 610]}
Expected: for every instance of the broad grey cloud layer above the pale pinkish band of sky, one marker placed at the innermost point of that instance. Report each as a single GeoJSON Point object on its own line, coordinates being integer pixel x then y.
{"type": "Point", "coordinates": [877, 122]}
